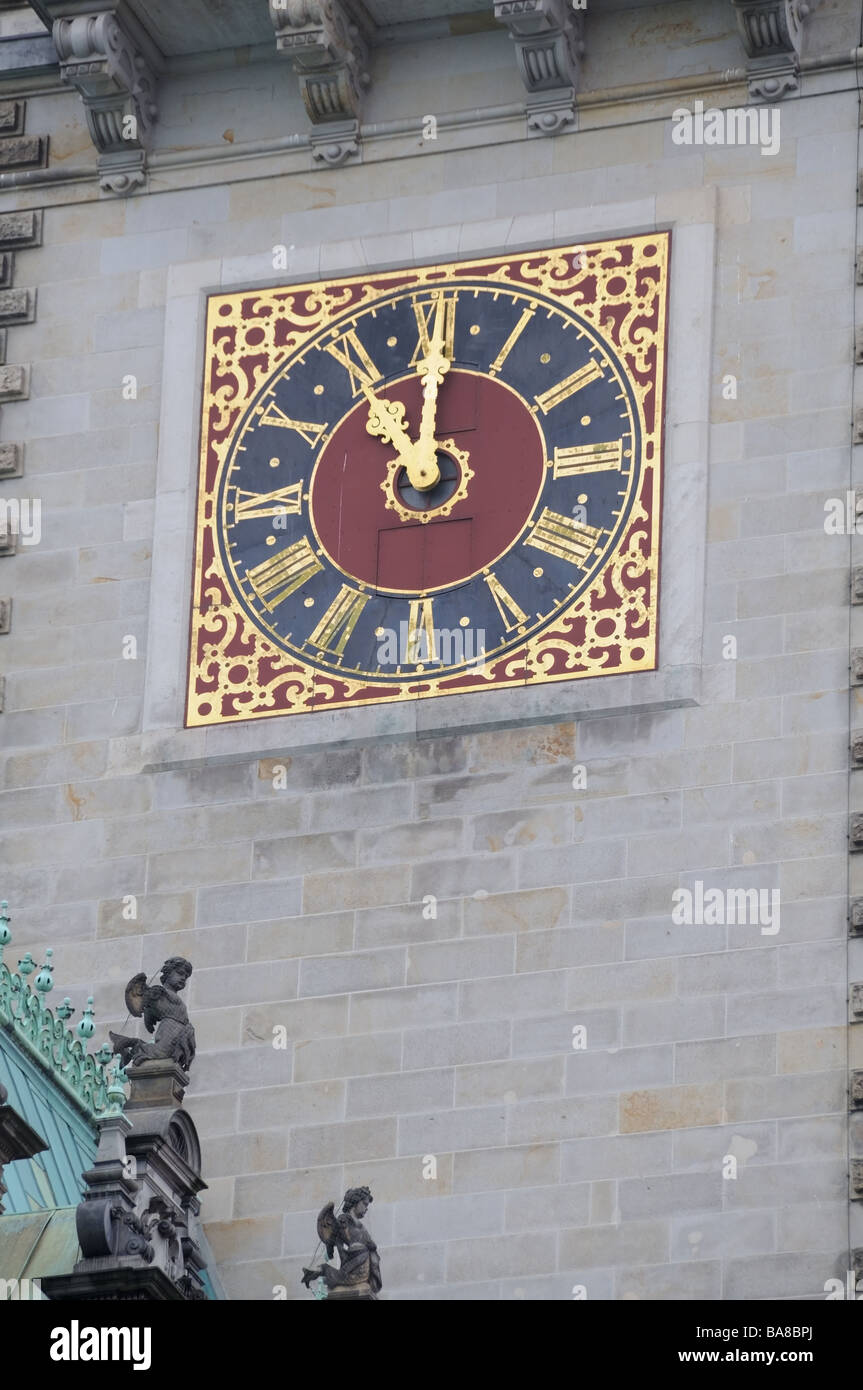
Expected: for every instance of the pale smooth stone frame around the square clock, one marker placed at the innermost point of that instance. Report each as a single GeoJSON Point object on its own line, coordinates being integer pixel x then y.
{"type": "Point", "coordinates": [677, 680]}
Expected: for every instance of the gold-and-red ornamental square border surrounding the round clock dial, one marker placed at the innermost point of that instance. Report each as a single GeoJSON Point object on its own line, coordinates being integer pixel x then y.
{"type": "Point", "coordinates": [237, 672]}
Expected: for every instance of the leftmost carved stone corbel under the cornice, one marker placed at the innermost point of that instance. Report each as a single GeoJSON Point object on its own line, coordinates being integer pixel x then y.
{"type": "Point", "coordinates": [117, 85]}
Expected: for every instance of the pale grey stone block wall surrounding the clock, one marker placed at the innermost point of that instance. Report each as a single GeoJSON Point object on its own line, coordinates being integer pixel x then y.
{"type": "Point", "coordinates": [444, 1029]}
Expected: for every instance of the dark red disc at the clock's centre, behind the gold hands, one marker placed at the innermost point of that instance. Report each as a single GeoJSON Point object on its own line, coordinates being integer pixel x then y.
{"type": "Point", "coordinates": [375, 544]}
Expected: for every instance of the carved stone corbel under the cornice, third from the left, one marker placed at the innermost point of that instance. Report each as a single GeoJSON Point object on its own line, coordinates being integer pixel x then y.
{"type": "Point", "coordinates": [550, 45]}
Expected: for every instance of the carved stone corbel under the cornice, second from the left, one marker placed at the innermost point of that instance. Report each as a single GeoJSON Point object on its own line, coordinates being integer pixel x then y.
{"type": "Point", "coordinates": [331, 60]}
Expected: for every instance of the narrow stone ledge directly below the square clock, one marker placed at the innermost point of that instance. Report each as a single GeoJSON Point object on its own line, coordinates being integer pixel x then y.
{"type": "Point", "coordinates": [643, 693]}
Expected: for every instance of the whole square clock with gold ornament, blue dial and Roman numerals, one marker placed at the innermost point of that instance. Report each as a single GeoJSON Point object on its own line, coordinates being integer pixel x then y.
{"type": "Point", "coordinates": [431, 482]}
